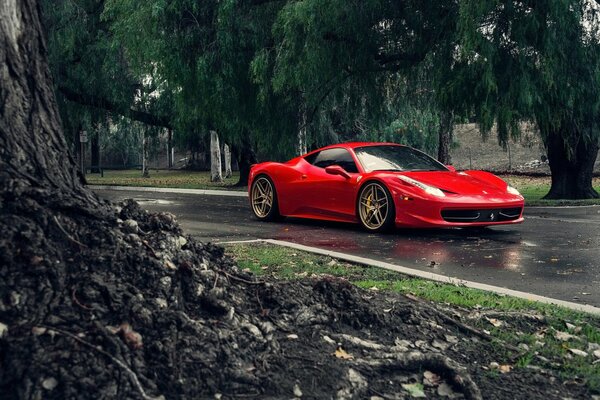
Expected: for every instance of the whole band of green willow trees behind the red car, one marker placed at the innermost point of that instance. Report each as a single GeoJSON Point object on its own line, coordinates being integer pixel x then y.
{"type": "Point", "coordinates": [277, 77]}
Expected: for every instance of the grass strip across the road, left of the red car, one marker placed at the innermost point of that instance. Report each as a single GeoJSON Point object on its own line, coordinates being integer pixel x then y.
{"type": "Point", "coordinates": [163, 179]}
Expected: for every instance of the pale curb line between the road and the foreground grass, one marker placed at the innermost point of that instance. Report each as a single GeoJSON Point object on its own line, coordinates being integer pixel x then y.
{"type": "Point", "coordinates": [426, 275]}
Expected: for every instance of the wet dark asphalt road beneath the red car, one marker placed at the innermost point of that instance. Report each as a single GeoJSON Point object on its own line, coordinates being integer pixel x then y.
{"type": "Point", "coordinates": [554, 253]}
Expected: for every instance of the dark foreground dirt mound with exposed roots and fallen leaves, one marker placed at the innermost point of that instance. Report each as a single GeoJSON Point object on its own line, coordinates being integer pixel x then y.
{"type": "Point", "coordinates": [126, 306]}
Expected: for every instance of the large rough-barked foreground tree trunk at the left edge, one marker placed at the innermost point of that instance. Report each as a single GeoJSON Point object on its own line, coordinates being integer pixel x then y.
{"type": "Point", "coordinates": [34, 156]}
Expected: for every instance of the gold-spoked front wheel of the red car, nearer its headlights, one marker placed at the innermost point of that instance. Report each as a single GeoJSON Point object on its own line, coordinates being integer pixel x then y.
{"type": "Point", "coordinates": [376, 210]}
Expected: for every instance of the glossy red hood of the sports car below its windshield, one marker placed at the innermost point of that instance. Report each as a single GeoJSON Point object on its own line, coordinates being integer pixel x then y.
{"type": "Point", "coordinates": [457, 182]}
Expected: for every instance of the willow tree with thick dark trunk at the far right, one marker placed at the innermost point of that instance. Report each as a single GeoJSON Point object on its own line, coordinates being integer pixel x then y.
{"type": "Point", "coordinates": [538, 61]}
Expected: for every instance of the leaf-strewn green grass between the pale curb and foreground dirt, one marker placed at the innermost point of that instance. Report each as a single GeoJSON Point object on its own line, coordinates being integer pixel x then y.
{"type": "Point", "coordinates": [290, 264]}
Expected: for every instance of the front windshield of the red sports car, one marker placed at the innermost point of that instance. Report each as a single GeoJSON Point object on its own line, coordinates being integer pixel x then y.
{"type": "Point", "coordinates": [395, 158]}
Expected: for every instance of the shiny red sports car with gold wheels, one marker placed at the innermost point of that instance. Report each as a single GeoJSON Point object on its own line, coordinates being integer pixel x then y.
{"type": "Point", "coordinates": [381, 185]}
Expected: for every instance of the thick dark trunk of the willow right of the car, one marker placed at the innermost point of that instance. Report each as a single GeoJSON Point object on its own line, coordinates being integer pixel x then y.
{"type": "Point", "coordinates": [571, 176]}
